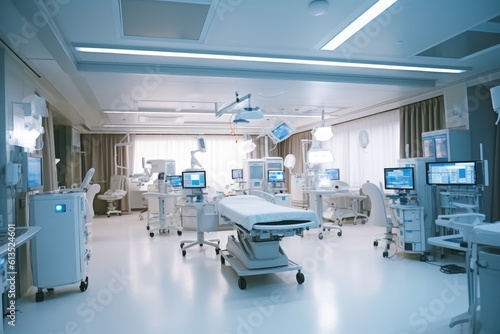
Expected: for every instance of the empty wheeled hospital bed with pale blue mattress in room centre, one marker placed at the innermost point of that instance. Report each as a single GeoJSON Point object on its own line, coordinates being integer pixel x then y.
{"type": "Point", "coordinates": [260, 226]}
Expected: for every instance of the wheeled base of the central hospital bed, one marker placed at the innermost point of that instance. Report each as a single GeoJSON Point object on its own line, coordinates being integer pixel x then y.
{"type": "Point", "coordinates": [242, 271]}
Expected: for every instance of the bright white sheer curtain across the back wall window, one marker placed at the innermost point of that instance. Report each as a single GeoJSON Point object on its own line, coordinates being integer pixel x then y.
{"type": "Point", "coordinates": [222, 154]}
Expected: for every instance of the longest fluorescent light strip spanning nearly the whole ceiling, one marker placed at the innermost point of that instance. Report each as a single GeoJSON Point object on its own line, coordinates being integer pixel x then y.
{"type": "Point", "coordinates": [133, 52]}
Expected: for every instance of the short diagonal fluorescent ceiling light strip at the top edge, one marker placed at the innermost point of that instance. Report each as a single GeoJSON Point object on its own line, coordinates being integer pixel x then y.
{"type": "Point", "coordinates": [358, 24]}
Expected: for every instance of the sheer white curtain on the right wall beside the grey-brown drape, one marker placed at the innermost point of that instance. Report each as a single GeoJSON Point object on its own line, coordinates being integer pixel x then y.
{"type": "Point", "coordinates": [357, 164]}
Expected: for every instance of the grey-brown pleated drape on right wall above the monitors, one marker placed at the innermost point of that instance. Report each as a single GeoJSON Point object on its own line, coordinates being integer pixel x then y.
{"type": "Point", "coordinates": [416, 118]}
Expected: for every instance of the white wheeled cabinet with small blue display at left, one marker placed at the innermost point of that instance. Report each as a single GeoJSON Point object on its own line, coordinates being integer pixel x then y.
{"type": "Point", "coordinates": [60, 250]}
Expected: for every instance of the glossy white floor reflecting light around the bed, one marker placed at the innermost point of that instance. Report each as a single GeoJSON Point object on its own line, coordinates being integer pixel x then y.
{"type": "Point", "coordinates": [139, 284]}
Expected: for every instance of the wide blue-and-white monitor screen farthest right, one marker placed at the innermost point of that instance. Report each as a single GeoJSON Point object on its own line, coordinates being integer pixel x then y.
{"type": "Point", "coordinates": [451, 173]}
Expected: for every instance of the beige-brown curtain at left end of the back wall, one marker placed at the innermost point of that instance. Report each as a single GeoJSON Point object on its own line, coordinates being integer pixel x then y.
{"type": "Point", "coordinates": [99, 153]}
